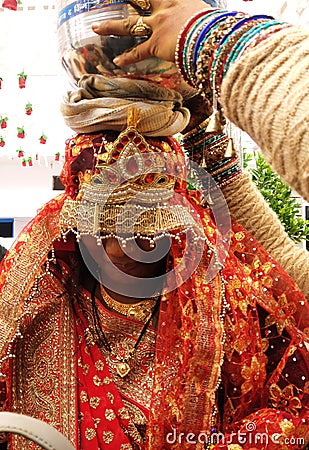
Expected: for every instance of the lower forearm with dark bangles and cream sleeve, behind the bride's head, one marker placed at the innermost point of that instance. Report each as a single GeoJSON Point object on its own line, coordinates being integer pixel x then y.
{"type": "Point", "coordinates": [246, 204]}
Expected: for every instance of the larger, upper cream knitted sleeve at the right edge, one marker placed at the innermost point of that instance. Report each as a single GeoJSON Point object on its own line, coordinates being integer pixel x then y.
{"type": "Point", "coordinates": [266, 94]}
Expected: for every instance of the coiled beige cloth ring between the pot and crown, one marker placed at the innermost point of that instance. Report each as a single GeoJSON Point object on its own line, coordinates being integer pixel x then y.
{"type": "Point", "coordinates": [102, 103]}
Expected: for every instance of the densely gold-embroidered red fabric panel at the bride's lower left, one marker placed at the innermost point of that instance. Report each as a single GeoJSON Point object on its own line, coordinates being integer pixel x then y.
{"type": "Point", "coordinates": [44, 378]}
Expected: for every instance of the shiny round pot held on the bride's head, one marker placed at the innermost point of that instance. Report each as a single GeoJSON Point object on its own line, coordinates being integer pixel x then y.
{"type": "Point", "coordinates": [84, 52]}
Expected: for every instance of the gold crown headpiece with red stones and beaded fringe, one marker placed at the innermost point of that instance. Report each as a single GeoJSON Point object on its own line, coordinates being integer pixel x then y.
{"type": "Point", "coordinates": [131, 192]}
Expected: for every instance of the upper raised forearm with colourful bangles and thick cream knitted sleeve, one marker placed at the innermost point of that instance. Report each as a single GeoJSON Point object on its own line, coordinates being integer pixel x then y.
{"type": "Point", "coordinates": [257, 70]}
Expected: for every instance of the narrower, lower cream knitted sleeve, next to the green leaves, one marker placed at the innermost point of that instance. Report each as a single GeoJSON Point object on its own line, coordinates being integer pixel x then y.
{"type": "Point", "coordinates": [249, 208]}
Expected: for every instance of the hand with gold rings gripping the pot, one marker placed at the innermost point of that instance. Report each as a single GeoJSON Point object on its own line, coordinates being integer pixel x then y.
{"type": "Point", "coordinates": [166, 21]}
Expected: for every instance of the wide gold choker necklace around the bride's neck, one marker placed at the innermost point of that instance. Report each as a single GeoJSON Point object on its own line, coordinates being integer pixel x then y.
{"type": "Point", "coordinates": [139, 311]}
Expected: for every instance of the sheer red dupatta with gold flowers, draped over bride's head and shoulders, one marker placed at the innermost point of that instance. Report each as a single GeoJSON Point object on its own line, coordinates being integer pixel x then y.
{"type": "Point", "coordinates": [199, 348]}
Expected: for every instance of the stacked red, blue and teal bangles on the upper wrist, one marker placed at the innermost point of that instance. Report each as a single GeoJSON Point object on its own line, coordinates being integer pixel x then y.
{"type": "Point", "coordinates": [213, 40]}
